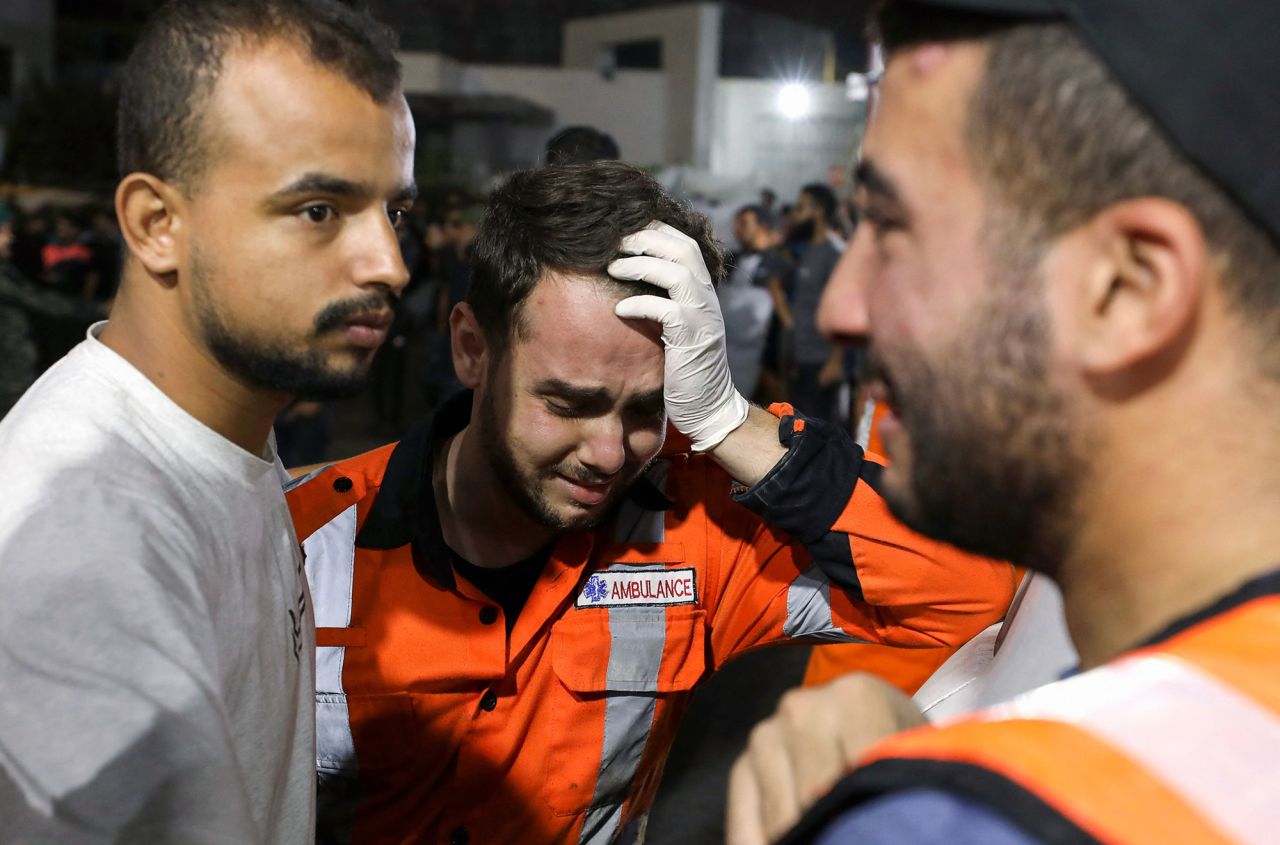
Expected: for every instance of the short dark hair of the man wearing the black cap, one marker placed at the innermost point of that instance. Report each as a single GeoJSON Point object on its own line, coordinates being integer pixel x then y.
{"type": "Point", "coordinates": [1054, 136]}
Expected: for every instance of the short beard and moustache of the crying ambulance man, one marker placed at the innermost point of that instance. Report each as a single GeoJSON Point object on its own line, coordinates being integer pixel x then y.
{"type": "Point", "coordinates": [528, 488]}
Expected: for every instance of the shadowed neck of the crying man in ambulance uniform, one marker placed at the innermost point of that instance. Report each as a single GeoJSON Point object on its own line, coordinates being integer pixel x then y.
{"type": "Point", "coordinates": [472, 503]}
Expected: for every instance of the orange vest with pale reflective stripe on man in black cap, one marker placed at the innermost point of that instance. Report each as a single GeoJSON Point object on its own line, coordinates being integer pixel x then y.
{"type": "Point", "coordinates": [1177, 742]}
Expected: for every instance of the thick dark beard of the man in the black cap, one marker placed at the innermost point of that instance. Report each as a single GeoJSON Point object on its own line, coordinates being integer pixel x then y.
{"type": "Point", "coordinates": [994, 467]}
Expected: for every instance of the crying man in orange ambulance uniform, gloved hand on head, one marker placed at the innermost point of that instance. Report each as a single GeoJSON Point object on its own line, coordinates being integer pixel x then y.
{"type": "Point", "coordinates": [515, 604]}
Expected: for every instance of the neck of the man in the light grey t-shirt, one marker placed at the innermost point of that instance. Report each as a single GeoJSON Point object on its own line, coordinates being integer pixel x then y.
{"type": "Point", "coordinates": [161, 349]}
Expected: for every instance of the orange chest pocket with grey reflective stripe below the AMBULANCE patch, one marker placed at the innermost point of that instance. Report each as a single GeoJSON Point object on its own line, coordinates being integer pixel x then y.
{"type": "Point", "coordinates": [620, 670]}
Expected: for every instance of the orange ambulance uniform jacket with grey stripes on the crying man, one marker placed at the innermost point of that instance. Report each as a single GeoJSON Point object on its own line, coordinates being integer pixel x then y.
{"type": "Point", "coordinates": [436, 727]}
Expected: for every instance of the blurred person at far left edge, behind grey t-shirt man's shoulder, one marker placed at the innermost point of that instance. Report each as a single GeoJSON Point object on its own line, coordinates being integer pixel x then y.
{"type": "Point", "coordinates": [22, 300]}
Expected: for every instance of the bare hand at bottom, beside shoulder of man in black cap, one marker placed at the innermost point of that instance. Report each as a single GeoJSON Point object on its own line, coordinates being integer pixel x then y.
{"type": "Point", "coordinates": [801, 752]}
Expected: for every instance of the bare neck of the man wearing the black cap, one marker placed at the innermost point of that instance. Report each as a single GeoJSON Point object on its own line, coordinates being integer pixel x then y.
{"type": "Point", "coordinates": [1169, 527]}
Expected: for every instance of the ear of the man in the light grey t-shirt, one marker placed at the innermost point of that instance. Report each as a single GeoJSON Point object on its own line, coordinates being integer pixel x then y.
{"type": "Point", "coordinates": [152, 216]}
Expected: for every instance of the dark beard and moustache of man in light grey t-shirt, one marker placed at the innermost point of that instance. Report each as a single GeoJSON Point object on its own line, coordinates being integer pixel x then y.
{"type": "Point", "coordinates": [272, 364]}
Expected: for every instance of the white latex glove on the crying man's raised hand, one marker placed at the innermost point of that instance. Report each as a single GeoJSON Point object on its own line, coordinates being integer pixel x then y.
{"type": "Point", "coordinates": [702, 401]}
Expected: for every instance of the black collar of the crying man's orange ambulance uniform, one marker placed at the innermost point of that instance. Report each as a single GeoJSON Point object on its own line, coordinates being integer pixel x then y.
{"type": "Point", "coordinates": [405, 510]}
